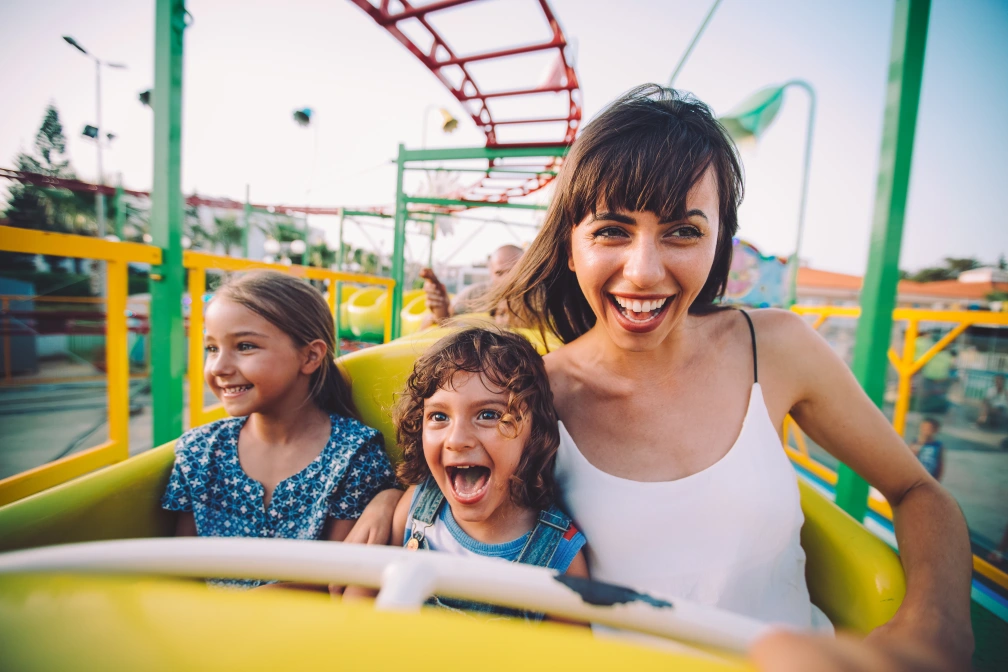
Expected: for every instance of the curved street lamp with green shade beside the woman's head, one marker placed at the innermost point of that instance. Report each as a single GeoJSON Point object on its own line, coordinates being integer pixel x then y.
{"type": "Point", "coordinates": [750, 119]}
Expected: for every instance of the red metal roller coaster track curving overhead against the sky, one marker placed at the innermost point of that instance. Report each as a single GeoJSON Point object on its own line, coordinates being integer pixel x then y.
{"type": "Point", "coordinates": [441, 57]}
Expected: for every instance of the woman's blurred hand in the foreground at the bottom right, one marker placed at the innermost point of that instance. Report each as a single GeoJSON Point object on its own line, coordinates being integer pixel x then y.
{"type": "Point", "coordinates": [883, 651]}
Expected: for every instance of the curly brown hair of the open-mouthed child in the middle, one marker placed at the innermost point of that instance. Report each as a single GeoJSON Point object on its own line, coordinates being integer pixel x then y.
{"type": "Point", "coordinates": [507, 361]}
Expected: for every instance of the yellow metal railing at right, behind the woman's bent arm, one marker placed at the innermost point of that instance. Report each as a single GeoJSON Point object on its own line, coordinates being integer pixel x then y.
{"type": "Point", "coordinates": [907, 365]}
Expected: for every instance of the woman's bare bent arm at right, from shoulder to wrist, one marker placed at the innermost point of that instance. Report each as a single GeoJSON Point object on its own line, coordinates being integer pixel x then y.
{"type": "Point", "coordinates": [824, 397]}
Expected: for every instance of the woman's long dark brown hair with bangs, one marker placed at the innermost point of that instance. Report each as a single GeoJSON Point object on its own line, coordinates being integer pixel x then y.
{"type": "Point", "coordinates": [644, 153]}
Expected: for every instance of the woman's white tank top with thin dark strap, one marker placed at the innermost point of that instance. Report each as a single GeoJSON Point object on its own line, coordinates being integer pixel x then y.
{"type": "Point", "coordinates": [728, 536]}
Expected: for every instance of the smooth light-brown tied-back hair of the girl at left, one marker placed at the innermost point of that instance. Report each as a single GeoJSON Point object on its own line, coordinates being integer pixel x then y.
{"type": "Point", "coordinates": [301, 312]}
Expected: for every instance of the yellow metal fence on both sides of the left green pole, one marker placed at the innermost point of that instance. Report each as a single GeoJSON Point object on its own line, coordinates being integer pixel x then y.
{"type": "Point", "coordinates": [117, 257]}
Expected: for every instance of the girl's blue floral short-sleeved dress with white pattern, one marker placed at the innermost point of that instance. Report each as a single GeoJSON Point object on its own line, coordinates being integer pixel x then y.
{"type": "Point", "coordinates": [209, 481]}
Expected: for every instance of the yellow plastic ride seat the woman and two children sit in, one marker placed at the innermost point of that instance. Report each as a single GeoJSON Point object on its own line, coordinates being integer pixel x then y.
{"type": "Point", "coordinates": [854, 577]}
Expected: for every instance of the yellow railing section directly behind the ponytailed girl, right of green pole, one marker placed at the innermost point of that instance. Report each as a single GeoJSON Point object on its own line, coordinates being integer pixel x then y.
{"type": "Point", "coordinates": [199, 263]}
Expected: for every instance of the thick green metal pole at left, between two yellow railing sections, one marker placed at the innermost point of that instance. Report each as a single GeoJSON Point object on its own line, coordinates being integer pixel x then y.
{"type": "Point", "coordinates": [168, 335]}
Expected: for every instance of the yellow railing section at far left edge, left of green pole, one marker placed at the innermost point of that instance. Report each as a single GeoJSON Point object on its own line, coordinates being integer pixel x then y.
{"type": "Point", "coordinates": [117, 256]}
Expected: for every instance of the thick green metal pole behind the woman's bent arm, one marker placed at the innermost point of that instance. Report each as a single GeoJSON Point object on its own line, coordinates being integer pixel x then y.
{"type": "Point", "coordinates": [878, 296]}
